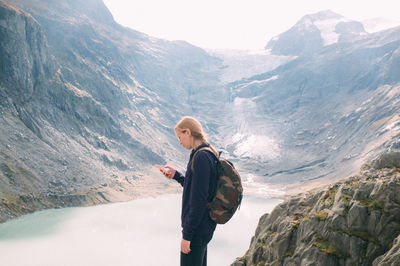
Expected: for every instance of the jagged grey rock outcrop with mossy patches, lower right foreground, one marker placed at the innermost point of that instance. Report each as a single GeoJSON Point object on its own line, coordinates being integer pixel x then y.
{"type": "Point", "coordinates": [355, 221]}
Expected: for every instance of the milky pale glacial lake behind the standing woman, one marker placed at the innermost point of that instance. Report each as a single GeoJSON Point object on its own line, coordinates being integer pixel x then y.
{"type": "Point", "coordinates": [140, 232]}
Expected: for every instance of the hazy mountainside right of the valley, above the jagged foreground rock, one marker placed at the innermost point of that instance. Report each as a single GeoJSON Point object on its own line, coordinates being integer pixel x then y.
{"type": "Point", "coordinates": [319, 116]}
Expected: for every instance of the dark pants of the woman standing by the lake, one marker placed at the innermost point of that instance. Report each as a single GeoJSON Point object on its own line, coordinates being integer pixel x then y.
{"type": "Point", "coordinates": [198, 251]}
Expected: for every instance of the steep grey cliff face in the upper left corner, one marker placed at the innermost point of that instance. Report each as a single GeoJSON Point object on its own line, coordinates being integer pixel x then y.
{"type": "Point", "coordinates": [25, 61]}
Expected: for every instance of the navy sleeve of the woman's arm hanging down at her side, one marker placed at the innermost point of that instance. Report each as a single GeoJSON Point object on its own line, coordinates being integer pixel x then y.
{"type": "Point", "coordinates": [199, 194]}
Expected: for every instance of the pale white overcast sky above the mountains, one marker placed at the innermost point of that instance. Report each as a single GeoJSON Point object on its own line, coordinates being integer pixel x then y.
{"type": "Point", "coordinates": [234, 24]}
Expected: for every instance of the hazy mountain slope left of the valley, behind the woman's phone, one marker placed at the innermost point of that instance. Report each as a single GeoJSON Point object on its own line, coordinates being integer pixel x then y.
{"type": "Point", "coordinates": [82, 103]}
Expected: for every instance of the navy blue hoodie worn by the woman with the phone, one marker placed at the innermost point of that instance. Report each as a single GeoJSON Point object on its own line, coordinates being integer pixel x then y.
{"type": "Point", "coordinates": [197, 191]}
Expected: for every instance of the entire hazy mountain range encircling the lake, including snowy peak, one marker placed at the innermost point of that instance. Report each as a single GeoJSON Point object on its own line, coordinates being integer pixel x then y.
{"type": "Point", "coordinates": [88, 106]}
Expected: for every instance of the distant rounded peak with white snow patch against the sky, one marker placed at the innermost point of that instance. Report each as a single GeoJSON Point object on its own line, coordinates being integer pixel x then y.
{"type": "Point", "coordinates": [315, 31]}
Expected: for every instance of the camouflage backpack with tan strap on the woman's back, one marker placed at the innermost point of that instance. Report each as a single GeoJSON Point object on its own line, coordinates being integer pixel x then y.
{"type": "Point", "coordinates": [228, 193]}
